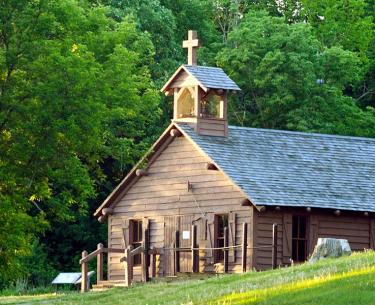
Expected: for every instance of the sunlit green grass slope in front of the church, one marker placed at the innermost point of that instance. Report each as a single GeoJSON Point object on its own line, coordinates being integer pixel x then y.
{"type": "Point", "coordinates": [349, 280]}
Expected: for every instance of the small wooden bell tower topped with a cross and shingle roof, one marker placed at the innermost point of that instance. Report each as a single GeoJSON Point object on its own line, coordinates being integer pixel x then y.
{"type": "Point", "coordinates": [200, 93]}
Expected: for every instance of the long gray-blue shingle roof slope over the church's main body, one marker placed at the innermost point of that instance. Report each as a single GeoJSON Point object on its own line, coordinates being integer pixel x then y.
{"type": "Point", "coordinates": [283, 168]}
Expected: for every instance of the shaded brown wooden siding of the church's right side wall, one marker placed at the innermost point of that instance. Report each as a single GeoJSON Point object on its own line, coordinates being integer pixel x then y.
{"type": "Point", "coordinates": [354, 227]}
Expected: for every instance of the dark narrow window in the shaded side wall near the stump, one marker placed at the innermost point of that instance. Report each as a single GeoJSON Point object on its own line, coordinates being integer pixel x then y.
{"type": "Point", "coordinates": [299, 240]}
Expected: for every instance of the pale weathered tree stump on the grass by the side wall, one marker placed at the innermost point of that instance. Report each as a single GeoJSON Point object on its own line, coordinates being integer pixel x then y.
{"type": "Point", "coordinates": [330, 247]}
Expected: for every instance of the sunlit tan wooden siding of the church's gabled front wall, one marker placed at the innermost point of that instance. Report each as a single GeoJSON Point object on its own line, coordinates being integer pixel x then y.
{"type": "Point", "coordinates": [163, 198]}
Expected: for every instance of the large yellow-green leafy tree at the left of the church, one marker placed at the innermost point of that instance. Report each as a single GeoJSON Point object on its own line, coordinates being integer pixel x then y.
{"type": "Point", "coordinates": [76, 103]}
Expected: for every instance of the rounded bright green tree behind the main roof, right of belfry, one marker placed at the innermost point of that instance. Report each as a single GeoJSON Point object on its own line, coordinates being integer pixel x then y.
{"type": "Point", "coordinates": [290, 80]}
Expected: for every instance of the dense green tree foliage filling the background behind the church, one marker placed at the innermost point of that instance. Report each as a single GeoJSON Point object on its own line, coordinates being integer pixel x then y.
{"type": "Point", "coordinates": [79, 102]}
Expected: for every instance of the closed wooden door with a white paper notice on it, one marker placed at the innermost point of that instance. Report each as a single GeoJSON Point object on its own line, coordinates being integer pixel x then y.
{"type": "Point", "coordinates": [185, 242]}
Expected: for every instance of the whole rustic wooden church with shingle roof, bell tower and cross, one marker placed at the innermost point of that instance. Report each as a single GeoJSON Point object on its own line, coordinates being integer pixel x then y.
{"type": "Point", "coordinates": [205, 173]}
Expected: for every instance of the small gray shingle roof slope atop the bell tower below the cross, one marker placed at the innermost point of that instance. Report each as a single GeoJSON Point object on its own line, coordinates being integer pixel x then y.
{"type": "Point", "coordinates": [211, 77]}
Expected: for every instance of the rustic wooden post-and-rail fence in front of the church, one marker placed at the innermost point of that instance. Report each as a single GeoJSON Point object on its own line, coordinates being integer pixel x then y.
{"type": "Point", "coordinates": [149, 256]}
